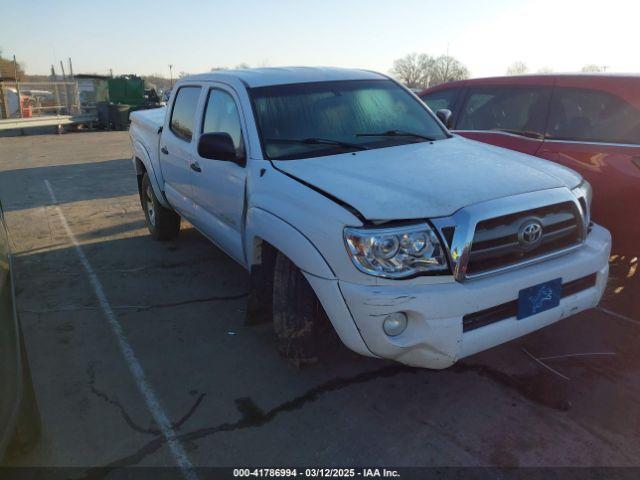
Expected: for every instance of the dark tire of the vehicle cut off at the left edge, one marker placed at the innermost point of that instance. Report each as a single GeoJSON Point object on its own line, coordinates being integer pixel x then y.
{"type": "Point", "coordinates": [29, 426]}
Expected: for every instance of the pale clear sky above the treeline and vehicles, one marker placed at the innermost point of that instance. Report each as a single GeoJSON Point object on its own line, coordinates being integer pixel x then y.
{"type": "Point", "coordinates": [144, 37]}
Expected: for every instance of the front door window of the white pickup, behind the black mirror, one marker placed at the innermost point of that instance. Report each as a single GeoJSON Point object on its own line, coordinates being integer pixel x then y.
{"type": "Point", "coordinates": [221, 115]}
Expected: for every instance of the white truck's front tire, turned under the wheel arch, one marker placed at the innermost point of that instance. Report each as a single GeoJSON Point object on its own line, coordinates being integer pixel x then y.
{"type": "Point", "coordinates": [304, 332]}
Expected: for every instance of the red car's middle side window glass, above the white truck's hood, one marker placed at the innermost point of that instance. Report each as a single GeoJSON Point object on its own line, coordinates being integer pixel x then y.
{"type": "Point", "coordinates": [519, 110]}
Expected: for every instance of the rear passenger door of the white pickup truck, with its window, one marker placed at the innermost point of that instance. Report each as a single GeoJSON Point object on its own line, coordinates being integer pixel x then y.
{"type": "Point", "coordinates": [177, 148]}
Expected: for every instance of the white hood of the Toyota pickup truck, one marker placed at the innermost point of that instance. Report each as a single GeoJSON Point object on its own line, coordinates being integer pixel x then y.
{"type": "Point", "coordinates": [426, 180]}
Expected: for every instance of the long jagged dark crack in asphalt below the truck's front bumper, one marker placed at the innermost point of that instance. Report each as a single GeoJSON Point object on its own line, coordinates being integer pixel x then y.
{"type": "Point", "coordinates": [252, 416]}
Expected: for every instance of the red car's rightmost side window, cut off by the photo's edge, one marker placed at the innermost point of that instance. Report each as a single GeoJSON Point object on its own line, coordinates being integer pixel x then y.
{"type": "Point", "coordinates": [591, 115]}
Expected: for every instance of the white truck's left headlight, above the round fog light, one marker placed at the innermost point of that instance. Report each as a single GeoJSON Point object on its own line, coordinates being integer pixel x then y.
{"type": "Point", "coordinates": [395, 252]}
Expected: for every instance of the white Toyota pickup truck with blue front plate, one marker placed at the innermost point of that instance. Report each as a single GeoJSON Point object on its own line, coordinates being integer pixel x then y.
{"type": "Point", "coordinates": [351, 205]}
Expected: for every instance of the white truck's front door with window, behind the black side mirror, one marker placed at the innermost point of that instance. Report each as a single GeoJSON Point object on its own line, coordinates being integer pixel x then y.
{"type": "Point", "coordinates": [219, 185]}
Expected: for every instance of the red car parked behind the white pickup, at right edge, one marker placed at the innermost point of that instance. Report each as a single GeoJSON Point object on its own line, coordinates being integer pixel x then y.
{"type": "Point", "coordinates": [590, 123]}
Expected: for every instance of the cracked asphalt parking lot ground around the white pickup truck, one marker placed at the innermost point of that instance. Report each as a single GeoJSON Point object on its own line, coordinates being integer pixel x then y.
{"type": "Point", "coordinates": [567, 395]}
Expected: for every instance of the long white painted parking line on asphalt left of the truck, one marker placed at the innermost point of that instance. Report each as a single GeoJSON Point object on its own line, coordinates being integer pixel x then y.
{"type": "Point", "coordinates": [135, 368]}
